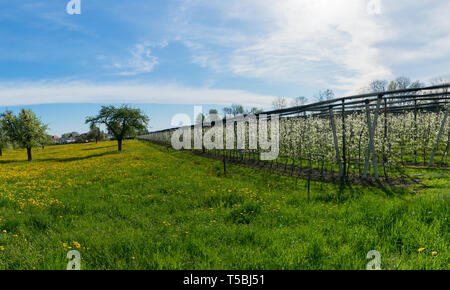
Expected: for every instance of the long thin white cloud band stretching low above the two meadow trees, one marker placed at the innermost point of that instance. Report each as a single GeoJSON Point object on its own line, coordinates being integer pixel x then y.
{"type": "Point", "coordinates": [84, 92]}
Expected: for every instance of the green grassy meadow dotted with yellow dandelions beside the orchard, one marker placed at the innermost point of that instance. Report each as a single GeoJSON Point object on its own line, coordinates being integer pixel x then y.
{"type": "Point", "coordinates": [152, 208]}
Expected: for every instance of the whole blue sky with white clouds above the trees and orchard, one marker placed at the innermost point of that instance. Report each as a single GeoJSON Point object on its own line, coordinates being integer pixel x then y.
{"type": "Point", "coordinates": [166, 56]}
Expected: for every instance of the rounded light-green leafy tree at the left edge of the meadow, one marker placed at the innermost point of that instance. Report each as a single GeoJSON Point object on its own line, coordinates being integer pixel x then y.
{"type": "Point", "coordinates": [25, 129]}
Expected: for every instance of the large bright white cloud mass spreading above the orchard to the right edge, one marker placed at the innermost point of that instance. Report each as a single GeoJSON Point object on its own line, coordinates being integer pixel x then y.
{"type": "Point", "coordinates": [343, 44]}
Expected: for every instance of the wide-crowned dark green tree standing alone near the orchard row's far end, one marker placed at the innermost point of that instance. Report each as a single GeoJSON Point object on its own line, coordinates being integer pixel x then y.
{"type": "Point", "coordinates": [122, 122]}
